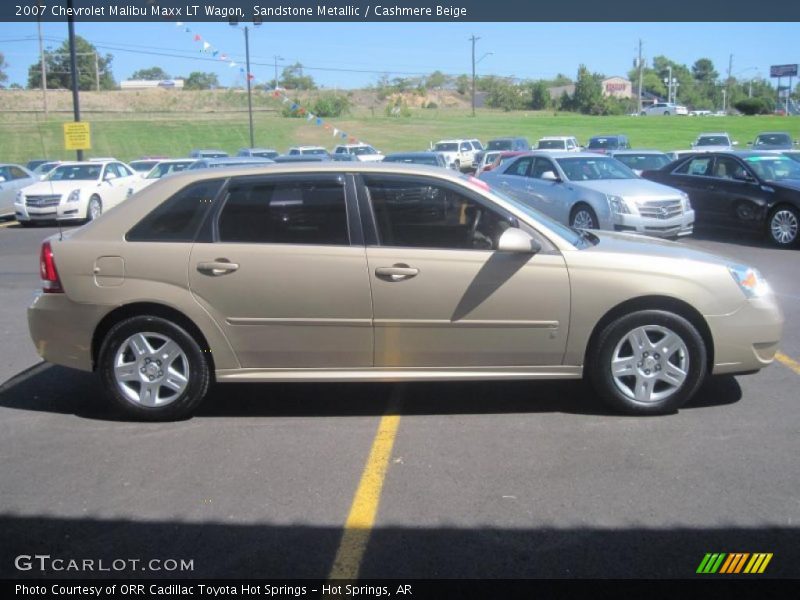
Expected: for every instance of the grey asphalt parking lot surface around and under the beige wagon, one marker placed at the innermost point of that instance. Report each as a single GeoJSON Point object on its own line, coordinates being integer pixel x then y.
{"type": "Point", "coordinates": [437, 480]}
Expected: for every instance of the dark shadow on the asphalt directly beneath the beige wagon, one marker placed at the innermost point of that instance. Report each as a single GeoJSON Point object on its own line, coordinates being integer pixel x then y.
{"type": "Point", "coordinates": [54, 389]}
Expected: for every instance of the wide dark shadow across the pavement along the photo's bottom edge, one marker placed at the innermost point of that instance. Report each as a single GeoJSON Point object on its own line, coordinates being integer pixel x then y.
{"type": "Point", "coordinates": [266, 550]}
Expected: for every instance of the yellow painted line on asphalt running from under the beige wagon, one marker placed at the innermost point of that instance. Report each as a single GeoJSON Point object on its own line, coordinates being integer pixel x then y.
{"type": "Point", "coordinates": [364, 508]}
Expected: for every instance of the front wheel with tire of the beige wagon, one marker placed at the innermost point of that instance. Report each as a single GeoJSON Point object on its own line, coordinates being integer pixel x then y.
{"type": "Point", "coordinates": [657, 384]}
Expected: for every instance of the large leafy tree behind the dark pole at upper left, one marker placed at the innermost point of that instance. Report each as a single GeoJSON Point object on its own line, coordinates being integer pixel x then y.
{"type": "Point", "coordinates": [57, 64]}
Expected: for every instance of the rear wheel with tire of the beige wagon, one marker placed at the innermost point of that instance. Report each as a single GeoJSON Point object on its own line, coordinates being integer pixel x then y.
{"type": "Point", "coordinates": [152, 369]}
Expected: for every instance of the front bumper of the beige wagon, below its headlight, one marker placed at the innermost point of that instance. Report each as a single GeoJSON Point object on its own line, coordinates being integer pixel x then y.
{"type": "Point", "coordinates": [747, 339]}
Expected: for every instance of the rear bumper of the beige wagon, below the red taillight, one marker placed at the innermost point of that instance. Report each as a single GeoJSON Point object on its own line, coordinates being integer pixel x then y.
{"type": "Point", "coordinates": [62, 329]}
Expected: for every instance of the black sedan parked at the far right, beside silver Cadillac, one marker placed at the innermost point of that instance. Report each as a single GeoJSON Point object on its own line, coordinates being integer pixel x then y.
{"type": "Point", "coordinates": [747, 191]}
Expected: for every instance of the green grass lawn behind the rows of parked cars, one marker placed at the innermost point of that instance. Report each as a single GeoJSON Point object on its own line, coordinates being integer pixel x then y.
{"type": "Point", "coordinates": [130, 136]}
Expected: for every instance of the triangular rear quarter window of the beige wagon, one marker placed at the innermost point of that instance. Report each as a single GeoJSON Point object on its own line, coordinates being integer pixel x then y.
{"type": "Point", "coordinates": [178, 218]}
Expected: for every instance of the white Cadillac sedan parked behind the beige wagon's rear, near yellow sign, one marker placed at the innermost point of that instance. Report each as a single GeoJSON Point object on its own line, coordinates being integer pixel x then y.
{"type": "Point", "coordinates": [75, 191]}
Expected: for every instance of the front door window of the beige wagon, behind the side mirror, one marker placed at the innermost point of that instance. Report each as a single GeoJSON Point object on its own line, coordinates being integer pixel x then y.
{"type": "Point", "coordinates": [420, 213]}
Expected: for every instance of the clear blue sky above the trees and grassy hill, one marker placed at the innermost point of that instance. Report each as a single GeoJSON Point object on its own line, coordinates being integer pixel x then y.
{"type": "Point", "coordinates": [336, 53]}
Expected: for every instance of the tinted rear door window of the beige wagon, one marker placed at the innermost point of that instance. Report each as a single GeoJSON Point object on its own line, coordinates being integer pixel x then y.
{"type": "Point", "coordinates": [286, 211]}
